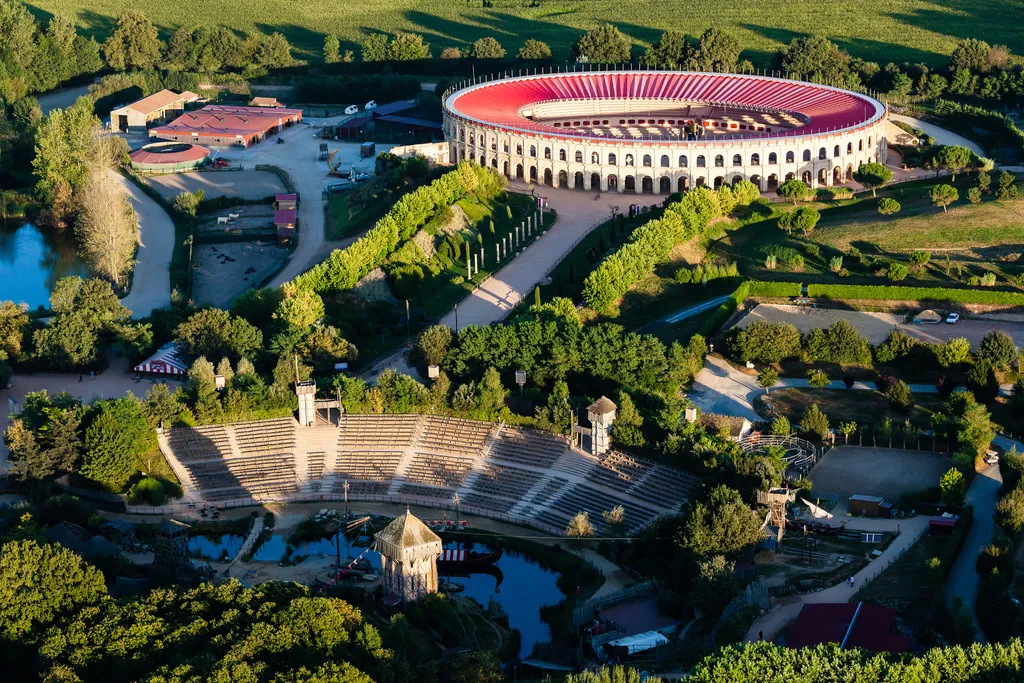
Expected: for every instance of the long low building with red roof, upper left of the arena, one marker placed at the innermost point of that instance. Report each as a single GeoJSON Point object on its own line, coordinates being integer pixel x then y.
{"type": "Point", "coordinates": [224, 126]}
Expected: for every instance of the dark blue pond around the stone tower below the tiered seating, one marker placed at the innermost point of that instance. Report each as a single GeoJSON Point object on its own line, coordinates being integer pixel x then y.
{"type": "Point", "coordinates": [517, 582]}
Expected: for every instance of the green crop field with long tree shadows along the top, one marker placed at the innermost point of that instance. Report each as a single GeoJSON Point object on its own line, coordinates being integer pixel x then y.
{"type": "Point", "coordinates": [878, 30]}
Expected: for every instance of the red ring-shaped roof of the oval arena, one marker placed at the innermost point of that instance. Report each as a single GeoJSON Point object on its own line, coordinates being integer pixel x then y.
{"type": "Point", "coordinates": [499, 103]}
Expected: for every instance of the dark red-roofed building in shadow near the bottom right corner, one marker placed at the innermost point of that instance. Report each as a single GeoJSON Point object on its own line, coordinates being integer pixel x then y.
{"type": "Point", "coordinates": [849, 624]}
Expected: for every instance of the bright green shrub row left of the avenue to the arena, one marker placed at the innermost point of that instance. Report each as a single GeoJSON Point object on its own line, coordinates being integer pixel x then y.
{"type": "Point", "coordinates": [346, 267]}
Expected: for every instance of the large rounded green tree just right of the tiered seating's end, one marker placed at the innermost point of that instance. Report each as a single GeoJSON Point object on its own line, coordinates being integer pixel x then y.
{"type": "Point", "coordinates": [722, 525]}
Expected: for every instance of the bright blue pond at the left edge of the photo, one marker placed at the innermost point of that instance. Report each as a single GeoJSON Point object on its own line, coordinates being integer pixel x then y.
{"type": "Point", "coordinates": [32, 260]}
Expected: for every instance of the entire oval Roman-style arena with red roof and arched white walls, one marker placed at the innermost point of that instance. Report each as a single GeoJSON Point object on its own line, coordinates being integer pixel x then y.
{"type": "Point", "coordinates": [659, 133]}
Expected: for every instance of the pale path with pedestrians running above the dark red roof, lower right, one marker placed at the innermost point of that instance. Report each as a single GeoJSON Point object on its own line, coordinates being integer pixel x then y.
{"type": "Point", "coordinates": [786, 611]}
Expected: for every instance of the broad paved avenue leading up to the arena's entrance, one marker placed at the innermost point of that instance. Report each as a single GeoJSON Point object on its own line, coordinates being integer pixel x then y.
{"type": "Point", "coordinates": [498, 295]}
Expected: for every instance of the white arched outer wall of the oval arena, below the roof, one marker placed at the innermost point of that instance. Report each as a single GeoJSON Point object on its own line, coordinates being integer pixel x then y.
{"type": "Point", "coordinates": [654, 166]}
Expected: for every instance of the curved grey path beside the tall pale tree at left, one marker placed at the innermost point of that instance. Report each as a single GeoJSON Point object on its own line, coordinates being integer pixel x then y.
{"type": "Point", "coordinates": [151, 286]}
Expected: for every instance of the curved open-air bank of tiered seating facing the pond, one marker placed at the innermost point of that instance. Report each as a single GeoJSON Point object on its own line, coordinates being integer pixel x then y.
{"type": "Point", "coordinates": [522, 476]}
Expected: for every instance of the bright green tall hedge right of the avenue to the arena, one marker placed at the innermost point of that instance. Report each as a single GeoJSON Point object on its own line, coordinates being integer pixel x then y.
{"type": "Point", "coordinates": [649, 246]}
